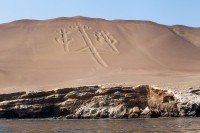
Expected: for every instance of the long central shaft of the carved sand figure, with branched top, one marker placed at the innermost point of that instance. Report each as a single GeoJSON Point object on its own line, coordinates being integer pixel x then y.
{"type": "Point", "coordinates": [82, 30]}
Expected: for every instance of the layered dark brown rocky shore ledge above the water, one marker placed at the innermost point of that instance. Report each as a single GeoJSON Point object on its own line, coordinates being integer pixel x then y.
{"type": "Point", "coordinates": [96, 102]}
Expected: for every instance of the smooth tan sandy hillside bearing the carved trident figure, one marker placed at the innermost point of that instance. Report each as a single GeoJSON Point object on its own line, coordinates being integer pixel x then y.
{"type": "Point", "coordinates": [76, 51]}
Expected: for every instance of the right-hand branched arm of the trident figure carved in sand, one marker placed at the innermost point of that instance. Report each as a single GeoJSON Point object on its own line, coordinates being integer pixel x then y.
{"type": "Point", "coordinates": [109, 39]}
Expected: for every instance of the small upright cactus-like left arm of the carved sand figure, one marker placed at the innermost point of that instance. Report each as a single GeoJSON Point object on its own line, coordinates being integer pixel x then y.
{"type": "Point", "coordinates": [64, 39]}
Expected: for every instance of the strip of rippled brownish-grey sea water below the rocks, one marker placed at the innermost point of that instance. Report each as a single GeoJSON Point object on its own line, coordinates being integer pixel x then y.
{"type": "Point", "coordinates": [157, 125]}
